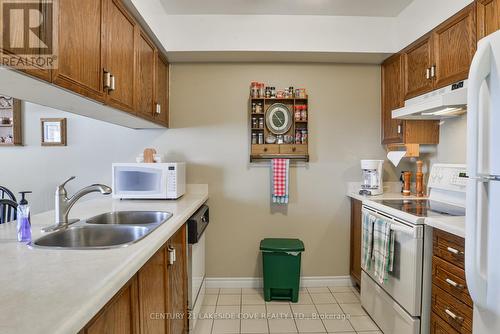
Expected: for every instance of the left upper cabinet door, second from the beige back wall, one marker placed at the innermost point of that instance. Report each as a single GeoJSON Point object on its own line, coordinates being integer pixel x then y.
{"type": "Point", "coordinates": [146, 66]}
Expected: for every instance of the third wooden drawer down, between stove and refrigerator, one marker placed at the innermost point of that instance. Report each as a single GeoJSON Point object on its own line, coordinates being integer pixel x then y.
{"type": "Point", "coordinates": [457, 314]}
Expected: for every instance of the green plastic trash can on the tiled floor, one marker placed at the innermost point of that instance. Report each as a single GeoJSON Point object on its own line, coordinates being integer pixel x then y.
{"type": "Point", "coordinates": [281, 268]}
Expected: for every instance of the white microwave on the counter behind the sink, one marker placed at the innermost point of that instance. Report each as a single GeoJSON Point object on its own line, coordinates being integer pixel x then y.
{"type": "Point", "coordinates": [149, 180]}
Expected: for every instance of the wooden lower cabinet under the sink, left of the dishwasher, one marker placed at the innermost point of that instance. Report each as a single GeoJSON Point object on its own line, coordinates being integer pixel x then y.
{"type": "Point", "coordinates": [154, 300]}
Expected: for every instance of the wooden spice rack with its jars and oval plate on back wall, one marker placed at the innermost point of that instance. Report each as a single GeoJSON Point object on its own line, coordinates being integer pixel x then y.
{"type": "Point", "coordinates": [278, 122]}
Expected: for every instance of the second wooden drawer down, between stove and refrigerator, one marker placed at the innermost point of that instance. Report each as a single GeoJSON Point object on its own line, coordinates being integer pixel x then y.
{"type": "Point", "coordinates": [451, 279]}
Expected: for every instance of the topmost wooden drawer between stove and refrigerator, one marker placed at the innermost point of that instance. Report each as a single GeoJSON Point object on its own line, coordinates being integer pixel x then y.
{"type": "Point", "coordinates": [449, 247]}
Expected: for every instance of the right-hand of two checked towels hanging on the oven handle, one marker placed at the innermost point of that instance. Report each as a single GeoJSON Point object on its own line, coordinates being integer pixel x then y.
{"type": "Point", "coordinates": [383, 250]}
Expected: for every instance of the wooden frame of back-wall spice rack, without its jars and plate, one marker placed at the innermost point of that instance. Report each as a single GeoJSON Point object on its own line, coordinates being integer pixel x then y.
{"type": "Point", "coordinates": [294, 151]}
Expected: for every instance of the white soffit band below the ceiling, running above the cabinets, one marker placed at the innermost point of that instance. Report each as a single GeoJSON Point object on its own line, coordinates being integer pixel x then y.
{"type": "Point", "coordinates": [295, 33]}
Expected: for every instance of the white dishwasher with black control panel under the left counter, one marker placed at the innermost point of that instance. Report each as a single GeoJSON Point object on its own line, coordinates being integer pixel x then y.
{"type": "Point", "coordinates": [196, 226]}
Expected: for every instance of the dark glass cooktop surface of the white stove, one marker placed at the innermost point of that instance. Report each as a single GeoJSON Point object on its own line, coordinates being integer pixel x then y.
{"type": "Point", "coordinates": [424, 207]}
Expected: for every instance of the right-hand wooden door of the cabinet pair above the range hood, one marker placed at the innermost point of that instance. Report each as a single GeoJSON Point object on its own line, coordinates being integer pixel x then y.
{"type": "Point", "coordinates": [454, 46]}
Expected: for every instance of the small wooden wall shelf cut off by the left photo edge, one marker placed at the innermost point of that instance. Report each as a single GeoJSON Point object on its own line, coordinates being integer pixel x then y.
{"type": "Point", "coordinates": [10, 121]}
